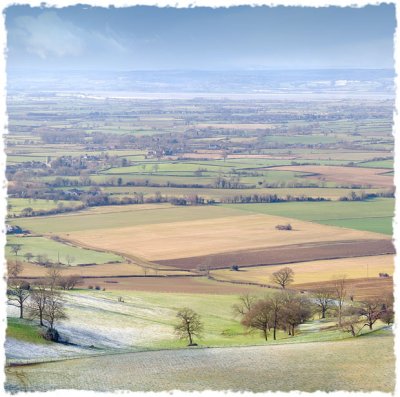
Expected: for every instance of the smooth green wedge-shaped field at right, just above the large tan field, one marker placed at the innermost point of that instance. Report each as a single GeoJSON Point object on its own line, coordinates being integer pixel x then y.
{"type": "Point", "coordinates": [371, 215]}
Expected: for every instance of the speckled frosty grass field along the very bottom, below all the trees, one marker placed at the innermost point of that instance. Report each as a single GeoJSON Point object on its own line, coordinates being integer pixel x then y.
{"type": "Point", "coordinates": [340, 365]}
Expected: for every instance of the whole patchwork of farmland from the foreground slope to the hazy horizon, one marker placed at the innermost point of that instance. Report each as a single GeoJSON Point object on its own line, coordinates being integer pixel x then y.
{"type": "Point", "coordinates": [153, 201]}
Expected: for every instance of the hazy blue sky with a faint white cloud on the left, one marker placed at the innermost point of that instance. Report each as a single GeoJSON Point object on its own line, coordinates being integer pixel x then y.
{"type": "Point", "coordinates": [150, 38]}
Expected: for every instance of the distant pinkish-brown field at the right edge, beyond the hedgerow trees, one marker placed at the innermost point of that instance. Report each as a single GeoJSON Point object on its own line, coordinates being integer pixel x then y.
{"type": "Point", "coordinates": [348, 175]}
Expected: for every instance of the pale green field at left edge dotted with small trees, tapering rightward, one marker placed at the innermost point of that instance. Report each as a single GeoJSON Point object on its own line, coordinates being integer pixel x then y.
{"type": "Point", "coordinates": [58, 251]}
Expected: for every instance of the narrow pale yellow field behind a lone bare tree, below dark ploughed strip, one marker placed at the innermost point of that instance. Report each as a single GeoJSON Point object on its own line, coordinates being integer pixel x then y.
{"type": "Point", "coordinates": [314, 271]}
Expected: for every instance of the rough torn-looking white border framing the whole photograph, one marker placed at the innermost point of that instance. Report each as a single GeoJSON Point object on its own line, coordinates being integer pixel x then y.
{"type": "Point", "coordinates": [189, 4]}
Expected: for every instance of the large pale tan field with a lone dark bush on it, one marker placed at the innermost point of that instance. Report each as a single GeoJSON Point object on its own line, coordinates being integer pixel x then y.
{"type": "Point", "coordinates": [209, 236]}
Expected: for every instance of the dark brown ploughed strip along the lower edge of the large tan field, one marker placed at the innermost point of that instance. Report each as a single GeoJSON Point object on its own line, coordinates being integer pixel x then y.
{"type": "Point", "coordinates": [286, 254]}
